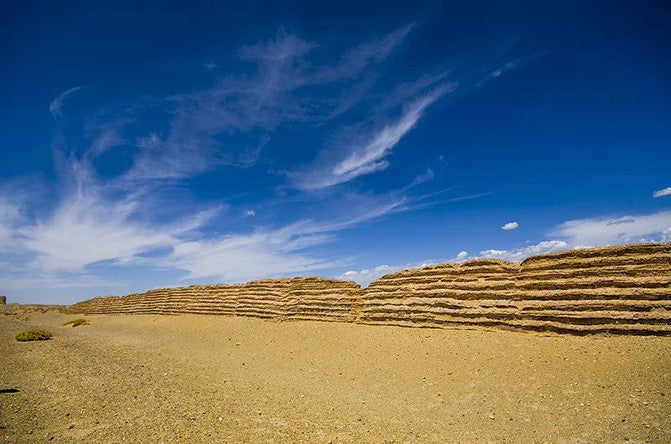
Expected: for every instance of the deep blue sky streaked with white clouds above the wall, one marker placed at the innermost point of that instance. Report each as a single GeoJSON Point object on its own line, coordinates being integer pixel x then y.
{"type": "Point", "coordinates": [173, 143]}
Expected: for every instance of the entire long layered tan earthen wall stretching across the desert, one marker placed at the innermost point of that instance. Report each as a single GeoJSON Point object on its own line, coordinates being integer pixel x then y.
{"type": "Point", "coordinates": [624, 289]}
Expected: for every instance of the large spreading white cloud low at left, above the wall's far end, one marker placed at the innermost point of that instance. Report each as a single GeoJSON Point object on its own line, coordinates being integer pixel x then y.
{"type": "Point", "coordinates": [96, 222]}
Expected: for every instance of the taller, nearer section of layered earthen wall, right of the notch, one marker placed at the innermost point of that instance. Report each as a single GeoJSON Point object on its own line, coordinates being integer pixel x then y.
{"type": "Point", "coordinates": [617, 289]}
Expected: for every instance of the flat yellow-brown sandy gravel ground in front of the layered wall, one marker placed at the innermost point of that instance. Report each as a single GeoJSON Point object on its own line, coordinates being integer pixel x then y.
{"type": "Point", "coordinates": [197, 378]}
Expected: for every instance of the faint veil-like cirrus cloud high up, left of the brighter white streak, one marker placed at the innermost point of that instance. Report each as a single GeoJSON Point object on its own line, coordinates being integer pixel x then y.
{"type": "Point", "coordinates": [245, 110]}
